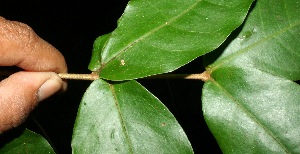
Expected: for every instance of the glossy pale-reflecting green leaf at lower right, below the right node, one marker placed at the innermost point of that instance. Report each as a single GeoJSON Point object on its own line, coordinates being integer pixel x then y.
{"type": "Point", "coordinates": [265, 110]}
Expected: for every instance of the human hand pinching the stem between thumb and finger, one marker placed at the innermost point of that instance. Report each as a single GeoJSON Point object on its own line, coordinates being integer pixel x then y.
{"type": "Point", "coordinates": [21, 92]}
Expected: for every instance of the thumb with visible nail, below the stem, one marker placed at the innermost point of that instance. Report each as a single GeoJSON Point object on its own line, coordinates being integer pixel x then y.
{"type": "Point", "coordinates": [21, 92]}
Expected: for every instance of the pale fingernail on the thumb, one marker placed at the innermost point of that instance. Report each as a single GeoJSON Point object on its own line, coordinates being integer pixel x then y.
{"type": "Point", "coordinates": [50, 87]}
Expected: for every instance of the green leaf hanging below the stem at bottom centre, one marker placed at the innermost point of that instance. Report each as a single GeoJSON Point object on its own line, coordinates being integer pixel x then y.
{"type": "Point", "coordinates": [124, 117]}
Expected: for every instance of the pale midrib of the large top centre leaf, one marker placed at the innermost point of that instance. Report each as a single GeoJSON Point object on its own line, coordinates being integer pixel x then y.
{"type": "Point", "coordinates": [152, 31]}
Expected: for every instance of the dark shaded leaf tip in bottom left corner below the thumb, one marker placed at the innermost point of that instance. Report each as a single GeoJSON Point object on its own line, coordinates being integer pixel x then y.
{"type": "Point", "coordinates": [27, 143]}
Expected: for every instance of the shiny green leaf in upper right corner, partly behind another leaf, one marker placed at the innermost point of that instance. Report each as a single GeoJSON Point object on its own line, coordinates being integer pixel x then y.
{"type": "Point", "coordinates": [260, 32]}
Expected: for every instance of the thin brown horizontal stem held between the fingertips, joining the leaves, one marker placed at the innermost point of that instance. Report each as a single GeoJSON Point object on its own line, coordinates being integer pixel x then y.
{"type": "Point", "coordinates": [205, 76]}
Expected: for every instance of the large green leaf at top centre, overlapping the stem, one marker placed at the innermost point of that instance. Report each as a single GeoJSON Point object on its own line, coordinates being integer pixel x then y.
{"type": "Point", "coordinates": [160, 36]}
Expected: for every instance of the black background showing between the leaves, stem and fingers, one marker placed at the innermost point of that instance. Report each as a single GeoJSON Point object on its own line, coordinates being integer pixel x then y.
{"type": "Point", "coordinates": [72, 29]}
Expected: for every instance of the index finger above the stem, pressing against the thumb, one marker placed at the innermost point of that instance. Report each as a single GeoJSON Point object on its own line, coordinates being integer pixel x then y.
{"type": "Point", "coordinates": [21, 46]}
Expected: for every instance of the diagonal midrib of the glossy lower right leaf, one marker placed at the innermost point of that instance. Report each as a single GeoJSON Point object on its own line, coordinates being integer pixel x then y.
{"type": "Point", "coordinates": [251, 116]}
